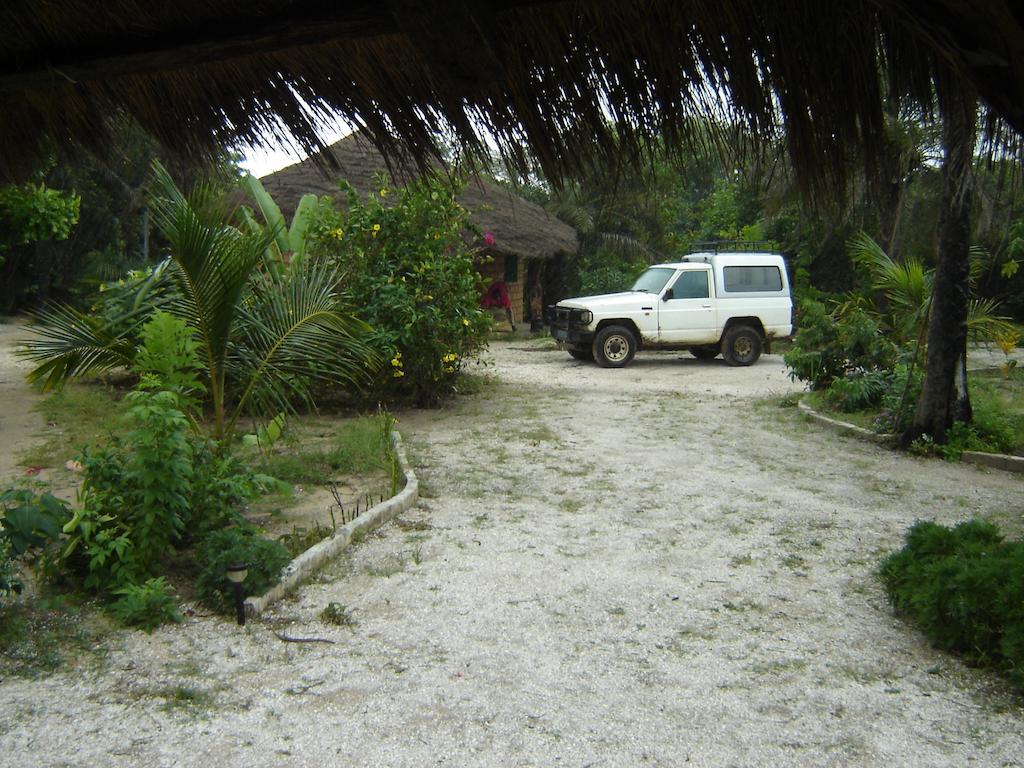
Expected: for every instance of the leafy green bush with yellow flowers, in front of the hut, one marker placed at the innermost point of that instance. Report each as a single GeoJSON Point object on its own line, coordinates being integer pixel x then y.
{"type": "Point", "coordinates": [410, 275]}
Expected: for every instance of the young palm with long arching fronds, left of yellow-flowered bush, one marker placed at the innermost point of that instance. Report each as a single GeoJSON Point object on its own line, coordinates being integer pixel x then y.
{"type": "Point", "coordinates": [264, 342]}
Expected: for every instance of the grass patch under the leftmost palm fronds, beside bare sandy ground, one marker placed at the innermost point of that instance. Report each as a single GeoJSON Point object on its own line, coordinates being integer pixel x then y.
{"type": "Point", "coordinates": [79, 416]}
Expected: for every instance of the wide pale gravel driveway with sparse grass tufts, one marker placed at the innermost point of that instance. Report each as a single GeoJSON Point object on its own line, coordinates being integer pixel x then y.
{"type": "Point", "coordinates": [647, 567]}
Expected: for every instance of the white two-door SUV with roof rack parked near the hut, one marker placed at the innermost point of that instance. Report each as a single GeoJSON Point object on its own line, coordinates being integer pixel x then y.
{"type": "Point", "coordinates": [710, 304]}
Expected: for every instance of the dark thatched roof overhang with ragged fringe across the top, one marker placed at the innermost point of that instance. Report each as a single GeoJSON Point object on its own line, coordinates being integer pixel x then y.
{"type": "Point", "coordinates": [564, 82]}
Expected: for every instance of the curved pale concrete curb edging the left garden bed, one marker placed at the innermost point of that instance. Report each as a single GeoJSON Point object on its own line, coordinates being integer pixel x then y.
{"type": "Point", "coordinates": [304, 567]}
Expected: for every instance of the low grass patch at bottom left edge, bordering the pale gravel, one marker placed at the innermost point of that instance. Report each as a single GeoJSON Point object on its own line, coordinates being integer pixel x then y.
{"type": "Point", "coordinates": [40, 639]}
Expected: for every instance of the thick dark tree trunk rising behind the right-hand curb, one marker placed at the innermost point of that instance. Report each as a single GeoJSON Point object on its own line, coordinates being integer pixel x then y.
{"type": "Point", "coordinates": [945, 399]}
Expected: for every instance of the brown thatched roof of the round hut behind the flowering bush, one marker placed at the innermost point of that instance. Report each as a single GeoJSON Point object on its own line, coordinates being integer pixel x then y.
{"type": "Point", "coordinates": [521, 228]}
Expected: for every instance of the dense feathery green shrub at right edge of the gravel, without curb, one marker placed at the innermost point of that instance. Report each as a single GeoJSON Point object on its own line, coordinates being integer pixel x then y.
{"type": "Point", "coordinates": [964, 587]}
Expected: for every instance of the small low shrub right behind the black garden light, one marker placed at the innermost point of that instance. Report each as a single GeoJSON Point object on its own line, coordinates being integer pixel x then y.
{"type": "Point", "coordinates": [238, 545]}
